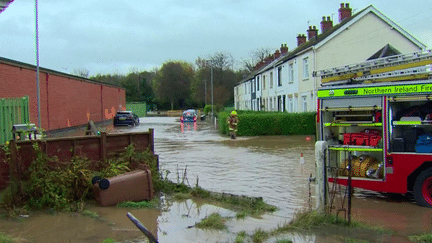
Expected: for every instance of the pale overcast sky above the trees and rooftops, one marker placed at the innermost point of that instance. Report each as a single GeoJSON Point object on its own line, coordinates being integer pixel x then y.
{"type": "Point", "coordinates": [116, 37]}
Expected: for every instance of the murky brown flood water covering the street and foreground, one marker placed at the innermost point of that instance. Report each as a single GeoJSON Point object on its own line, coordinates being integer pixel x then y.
{"type": "Point", "coordinates": [268, 166]}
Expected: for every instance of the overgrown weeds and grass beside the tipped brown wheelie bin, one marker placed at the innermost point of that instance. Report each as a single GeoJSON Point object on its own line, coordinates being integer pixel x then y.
{"type": "Point", "coordinates": [49, 183]}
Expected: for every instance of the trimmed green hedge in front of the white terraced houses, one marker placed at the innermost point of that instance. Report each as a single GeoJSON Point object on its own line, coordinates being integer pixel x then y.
{"type": "Point", "coordinates": [270, 123]}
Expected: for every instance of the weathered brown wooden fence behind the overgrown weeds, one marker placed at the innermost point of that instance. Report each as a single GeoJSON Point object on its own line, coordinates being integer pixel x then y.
{"type": "Point", "coordinates": [95, 148]}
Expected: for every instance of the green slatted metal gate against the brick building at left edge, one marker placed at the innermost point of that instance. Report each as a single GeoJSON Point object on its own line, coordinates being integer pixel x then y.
{"type": "Point", "coordinates": [12, 111]}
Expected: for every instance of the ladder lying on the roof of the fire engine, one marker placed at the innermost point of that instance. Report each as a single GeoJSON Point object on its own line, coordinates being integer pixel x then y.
{"type": "Point", "coordinates": [399, 67]}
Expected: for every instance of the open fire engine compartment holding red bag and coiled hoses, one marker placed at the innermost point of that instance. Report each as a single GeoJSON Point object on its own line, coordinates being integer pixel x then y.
{"type": "Point", "coordinates": [353, 129]}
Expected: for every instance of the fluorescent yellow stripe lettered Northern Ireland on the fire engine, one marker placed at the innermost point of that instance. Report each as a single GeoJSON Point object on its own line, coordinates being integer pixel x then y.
{"type": "Point", "coordinates": [377, 90]}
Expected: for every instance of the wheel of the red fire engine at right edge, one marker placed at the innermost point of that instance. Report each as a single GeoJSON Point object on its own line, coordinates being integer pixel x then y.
{"type": "Point", "coordinates": [423, 189]}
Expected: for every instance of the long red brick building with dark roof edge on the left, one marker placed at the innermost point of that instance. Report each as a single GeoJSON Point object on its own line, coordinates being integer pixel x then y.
{"type": "Point", "coordinates": [65, 100]}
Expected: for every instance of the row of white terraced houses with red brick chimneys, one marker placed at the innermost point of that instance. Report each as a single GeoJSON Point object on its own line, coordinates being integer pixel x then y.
{"type": "Point", "coordinates": [285, 81]}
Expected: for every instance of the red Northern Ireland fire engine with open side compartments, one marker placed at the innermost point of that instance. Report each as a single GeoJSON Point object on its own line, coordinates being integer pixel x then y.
{"type": "Point", "coordinates": [376, 117]}
